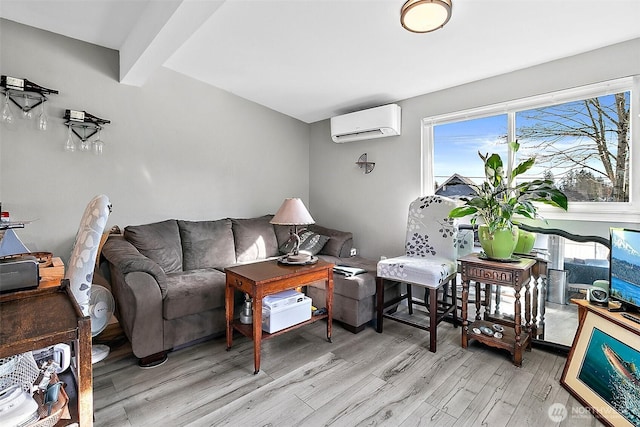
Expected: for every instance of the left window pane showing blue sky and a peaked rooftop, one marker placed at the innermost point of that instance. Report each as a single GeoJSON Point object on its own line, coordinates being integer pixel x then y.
{"type": "Point", "coordinates": [456, 147]}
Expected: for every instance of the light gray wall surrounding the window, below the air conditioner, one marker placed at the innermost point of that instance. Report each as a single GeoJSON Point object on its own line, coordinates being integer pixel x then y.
{"type": "Point", "coordinates": [374, 206]}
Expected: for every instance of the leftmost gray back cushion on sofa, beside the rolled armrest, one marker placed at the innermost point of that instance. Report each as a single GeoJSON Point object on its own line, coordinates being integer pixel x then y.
{"type": "Point", "coordinates": [159, 241]}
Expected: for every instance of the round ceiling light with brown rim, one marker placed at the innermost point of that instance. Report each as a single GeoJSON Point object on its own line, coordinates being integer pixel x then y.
{"type": "Point", "coordinates": [423, 16]}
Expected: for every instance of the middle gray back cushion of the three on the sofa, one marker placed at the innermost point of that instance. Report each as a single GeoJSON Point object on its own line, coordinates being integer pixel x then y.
{"type": "Point", "coordinates": [207, 244]}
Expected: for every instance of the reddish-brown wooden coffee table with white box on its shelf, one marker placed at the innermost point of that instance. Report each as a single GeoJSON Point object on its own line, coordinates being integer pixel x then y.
{"type": "Point", "coordinates": [266, 278]}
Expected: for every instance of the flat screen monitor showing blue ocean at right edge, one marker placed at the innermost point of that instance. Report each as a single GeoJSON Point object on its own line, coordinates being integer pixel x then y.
{"type": "Point", "coordinates": [625, 267]}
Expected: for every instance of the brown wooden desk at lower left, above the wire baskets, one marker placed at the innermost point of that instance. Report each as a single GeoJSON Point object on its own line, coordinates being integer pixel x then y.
{"type": "Point", "coordinates": [43, 317]}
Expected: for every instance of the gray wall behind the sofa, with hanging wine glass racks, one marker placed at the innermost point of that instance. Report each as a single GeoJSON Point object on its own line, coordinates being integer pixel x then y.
{"type": "Point", "coordinates": [176, 148]}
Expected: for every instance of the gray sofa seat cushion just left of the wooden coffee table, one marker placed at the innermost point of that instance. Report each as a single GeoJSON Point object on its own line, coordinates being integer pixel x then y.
{"type": "Point", "coordinates": [193, 292]}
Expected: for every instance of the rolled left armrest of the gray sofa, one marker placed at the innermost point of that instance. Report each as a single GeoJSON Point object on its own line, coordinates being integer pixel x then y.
{"type": "Point", "coordinates": [125, 258]}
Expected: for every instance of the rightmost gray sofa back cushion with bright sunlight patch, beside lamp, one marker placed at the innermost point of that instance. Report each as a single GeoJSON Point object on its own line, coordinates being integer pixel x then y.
{"type": "Point", "coordinates": [254, 238]}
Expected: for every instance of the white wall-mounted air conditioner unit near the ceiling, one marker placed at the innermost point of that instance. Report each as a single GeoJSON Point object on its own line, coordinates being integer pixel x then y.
{"type": "Point", "coordinates": [367, 124]}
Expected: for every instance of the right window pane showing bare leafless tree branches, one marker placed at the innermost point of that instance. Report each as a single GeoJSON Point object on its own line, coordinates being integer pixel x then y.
{"type": "Point", "coordinates": [583, 145]}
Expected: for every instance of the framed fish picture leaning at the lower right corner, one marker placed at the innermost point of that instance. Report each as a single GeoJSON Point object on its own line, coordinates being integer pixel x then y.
{"type": "Point", "coordinates": [603, 371]}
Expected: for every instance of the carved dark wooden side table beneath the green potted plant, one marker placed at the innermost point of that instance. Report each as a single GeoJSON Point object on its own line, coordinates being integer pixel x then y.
{"type": "Point", "coordinates": [511, 274]}
